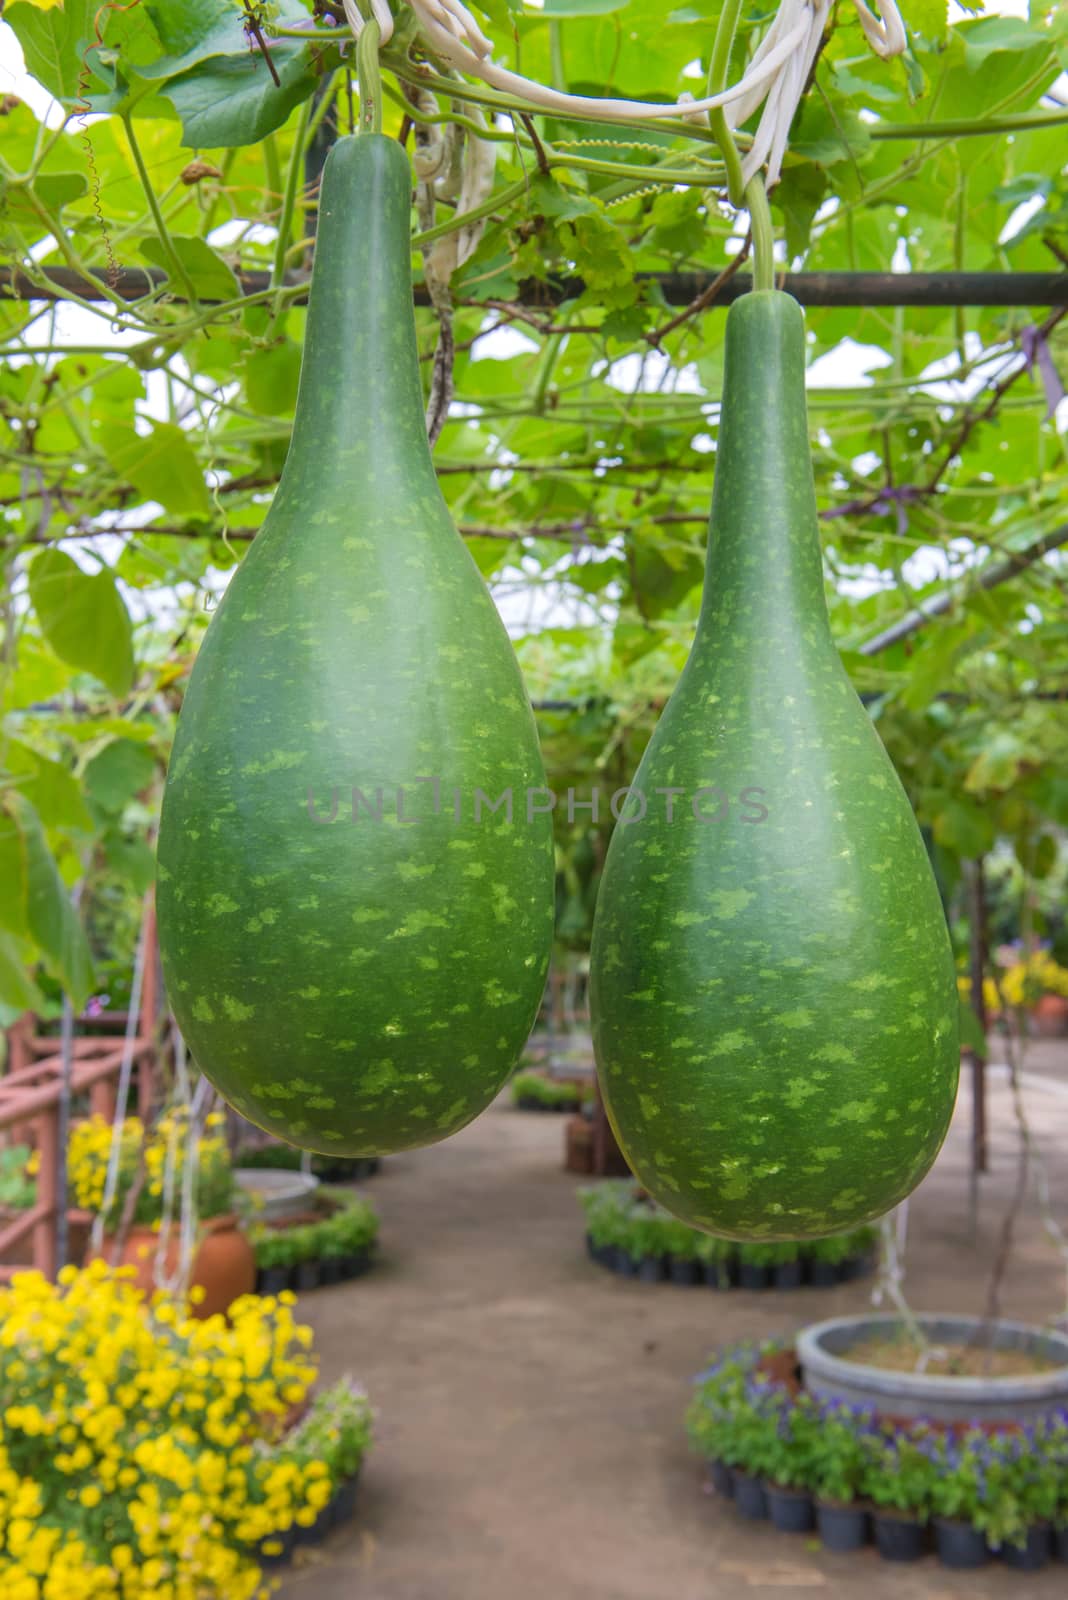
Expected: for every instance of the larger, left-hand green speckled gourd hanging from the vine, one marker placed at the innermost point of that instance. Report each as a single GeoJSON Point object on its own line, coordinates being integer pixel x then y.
{"type": "Point", "coordinates": [356, 986]}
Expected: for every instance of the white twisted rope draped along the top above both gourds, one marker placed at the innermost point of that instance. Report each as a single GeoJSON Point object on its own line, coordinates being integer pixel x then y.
{"type": "Point", "coordinates": [775, 78]}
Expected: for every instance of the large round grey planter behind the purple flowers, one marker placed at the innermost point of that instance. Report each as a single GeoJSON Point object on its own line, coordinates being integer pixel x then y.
{"type": "Point", "coordinates": [933, 1396]}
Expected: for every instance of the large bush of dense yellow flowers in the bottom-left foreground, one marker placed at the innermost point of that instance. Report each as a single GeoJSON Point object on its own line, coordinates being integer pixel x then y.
{"type": "Point", "coordinates": [143, 1452]}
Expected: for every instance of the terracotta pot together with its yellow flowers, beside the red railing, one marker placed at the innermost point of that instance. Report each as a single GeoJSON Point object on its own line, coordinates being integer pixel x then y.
{"type": "Point", "coordinates": [151, 1162]}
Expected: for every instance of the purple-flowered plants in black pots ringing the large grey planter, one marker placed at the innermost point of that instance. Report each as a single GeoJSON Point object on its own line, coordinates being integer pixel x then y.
{"type": "Point", "coordinates": [856, 1476]}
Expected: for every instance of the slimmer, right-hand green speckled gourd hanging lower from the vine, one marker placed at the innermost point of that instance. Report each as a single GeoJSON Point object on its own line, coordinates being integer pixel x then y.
{"type": "Point", "coordinates": [773, 988]}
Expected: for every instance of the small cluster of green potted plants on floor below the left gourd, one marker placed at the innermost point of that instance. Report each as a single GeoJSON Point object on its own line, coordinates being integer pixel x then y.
{"type": "Point", "coordinates": [332, 1249]}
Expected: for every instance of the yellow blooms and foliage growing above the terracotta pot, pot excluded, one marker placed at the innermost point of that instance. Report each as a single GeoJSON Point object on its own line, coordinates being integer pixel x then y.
{"type": "Point", "coordinates": [146, 1154]}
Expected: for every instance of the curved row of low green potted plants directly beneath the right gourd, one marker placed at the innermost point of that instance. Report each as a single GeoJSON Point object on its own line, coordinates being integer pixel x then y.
{"type": "Point", "coordinates": [636, 1238]}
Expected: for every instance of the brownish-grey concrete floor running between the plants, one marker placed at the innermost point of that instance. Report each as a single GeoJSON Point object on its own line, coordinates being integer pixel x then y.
{"type": "Point", "coordinates": [532, 1406]}
